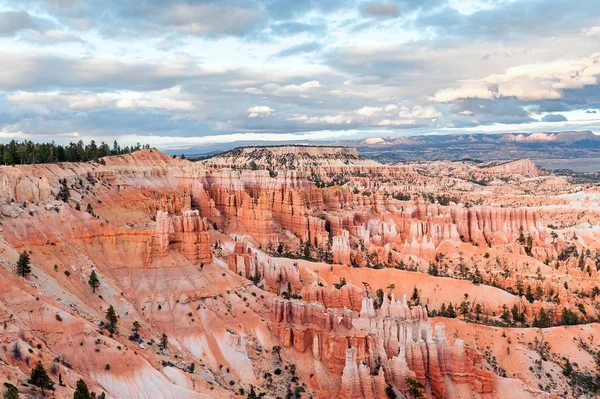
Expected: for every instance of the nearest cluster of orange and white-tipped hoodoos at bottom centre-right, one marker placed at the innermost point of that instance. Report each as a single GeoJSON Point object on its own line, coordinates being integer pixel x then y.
{"type": "Point", "coordinates": [396, 339]}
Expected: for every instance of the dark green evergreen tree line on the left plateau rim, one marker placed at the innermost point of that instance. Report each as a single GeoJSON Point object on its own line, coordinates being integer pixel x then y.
{"type": "Point", "coordinates": [28, 152]}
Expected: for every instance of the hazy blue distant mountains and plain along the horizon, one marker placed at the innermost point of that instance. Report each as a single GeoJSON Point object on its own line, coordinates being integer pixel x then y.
{"type": "Point", "coordinates": [578, 151]}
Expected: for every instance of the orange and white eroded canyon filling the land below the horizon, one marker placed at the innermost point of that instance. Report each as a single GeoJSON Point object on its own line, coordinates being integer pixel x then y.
{"type": "Point", "coordinates": [300, 271]}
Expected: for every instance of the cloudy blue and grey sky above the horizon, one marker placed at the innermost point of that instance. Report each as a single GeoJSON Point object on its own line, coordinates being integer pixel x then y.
{"type": "Point", "coordinates": [189, 72]}
